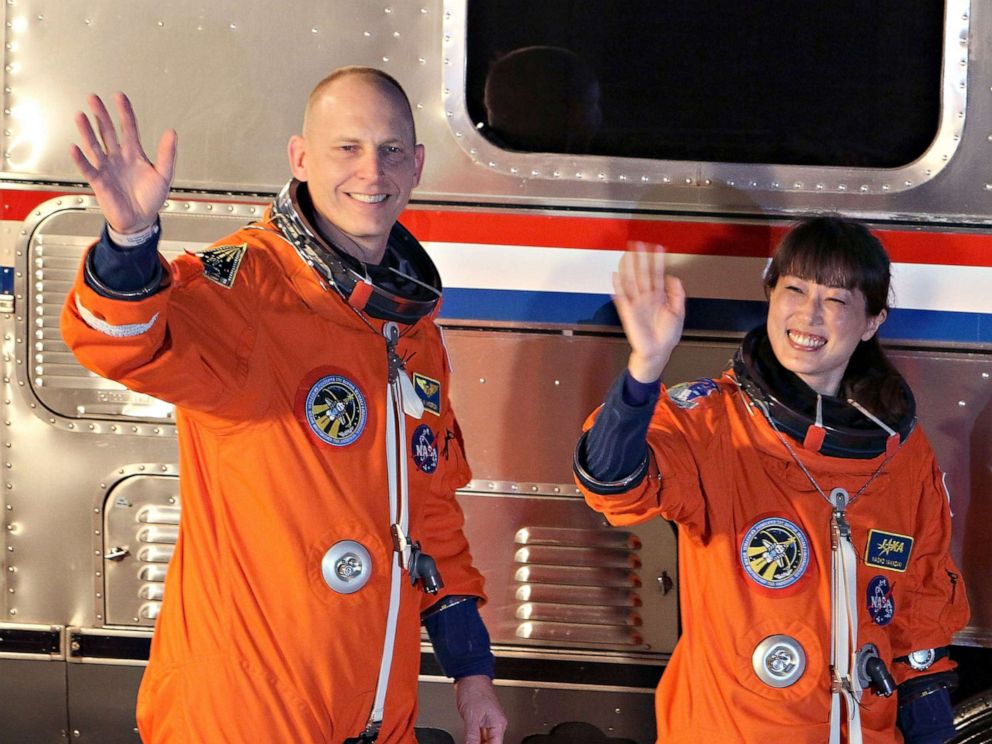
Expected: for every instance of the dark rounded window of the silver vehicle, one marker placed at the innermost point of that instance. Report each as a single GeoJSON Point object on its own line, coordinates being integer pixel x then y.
{"type": "Point", "coordinates": [846, 82]}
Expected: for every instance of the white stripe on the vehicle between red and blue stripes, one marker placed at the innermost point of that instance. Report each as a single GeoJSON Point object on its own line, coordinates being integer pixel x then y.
{"type": "Point", "coordinates": [542, 269]}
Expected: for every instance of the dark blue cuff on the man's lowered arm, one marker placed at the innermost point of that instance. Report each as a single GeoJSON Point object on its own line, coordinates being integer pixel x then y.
{"type": "Point", "coordinates": [460, 640]}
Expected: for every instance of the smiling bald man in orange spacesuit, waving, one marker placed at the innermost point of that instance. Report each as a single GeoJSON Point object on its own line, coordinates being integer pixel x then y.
{"type": "Point", "coordinates": [319, 454]}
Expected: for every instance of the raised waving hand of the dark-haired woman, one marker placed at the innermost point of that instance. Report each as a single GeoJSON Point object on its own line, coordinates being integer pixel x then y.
{"type": "Point", "coordinates": [651, 306]}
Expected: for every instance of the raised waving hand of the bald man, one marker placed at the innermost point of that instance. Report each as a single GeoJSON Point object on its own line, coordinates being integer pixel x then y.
{"type": "Point", "coordinates": [128, 186]}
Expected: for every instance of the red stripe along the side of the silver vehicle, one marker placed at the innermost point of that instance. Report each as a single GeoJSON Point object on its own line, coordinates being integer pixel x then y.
{"type": "Point", "coordinates": [747, 239]}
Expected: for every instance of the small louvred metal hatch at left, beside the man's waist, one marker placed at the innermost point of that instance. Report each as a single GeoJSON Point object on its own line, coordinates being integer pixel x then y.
{"type": "Point", "coordinates": [141, 519]}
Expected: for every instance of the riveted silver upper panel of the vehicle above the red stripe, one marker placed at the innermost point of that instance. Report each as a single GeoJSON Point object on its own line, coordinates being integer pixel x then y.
{"type": "Point", "coordinates": [181, 61]}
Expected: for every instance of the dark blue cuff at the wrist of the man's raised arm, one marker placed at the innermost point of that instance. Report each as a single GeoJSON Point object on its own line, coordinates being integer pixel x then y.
{"type": "Point", "coordinates": [124, 273]}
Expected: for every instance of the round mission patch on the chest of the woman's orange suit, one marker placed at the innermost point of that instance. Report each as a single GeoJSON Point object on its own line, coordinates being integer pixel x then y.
{"type": "Point", "coordinates": [775, 553]}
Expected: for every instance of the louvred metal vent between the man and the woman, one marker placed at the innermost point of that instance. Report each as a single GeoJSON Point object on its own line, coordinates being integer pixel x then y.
{"type": "Point", "coordinates": [578, 586]}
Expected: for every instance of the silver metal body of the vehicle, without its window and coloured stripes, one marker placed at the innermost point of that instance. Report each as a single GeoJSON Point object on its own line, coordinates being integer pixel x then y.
{"type": "Point", "coordinates": [89, 490]}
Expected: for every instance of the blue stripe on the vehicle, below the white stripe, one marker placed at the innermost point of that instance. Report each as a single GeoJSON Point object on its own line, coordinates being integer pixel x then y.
{"type": "Point", "coordinates": [575, 308]}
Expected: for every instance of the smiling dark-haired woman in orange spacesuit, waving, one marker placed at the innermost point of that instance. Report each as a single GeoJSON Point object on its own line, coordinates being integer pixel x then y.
{"type": "Point", "coordinates": [818, 594]}
